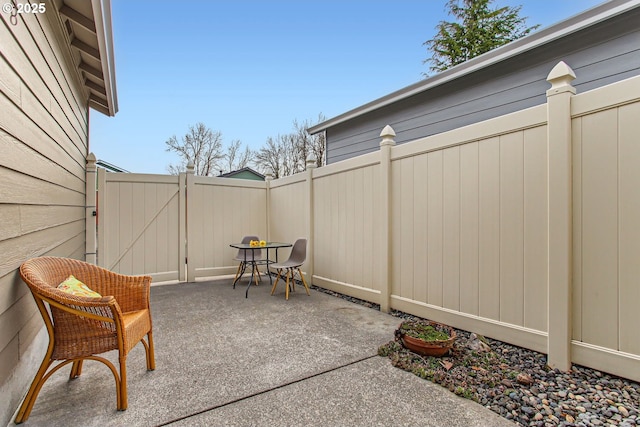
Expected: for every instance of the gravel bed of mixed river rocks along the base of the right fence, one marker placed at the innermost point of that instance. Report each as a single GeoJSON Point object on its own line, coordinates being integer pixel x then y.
{"type": "Point", "coordinates": [516, 383]}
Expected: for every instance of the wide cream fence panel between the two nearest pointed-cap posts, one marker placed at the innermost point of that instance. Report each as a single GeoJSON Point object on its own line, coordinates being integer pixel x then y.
{"type": "Point", "coordinates": [469, 228]}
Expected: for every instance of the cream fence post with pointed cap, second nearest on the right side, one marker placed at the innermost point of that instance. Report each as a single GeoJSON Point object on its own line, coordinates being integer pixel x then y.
{"type": "Point", "coordinates": [386, 144]}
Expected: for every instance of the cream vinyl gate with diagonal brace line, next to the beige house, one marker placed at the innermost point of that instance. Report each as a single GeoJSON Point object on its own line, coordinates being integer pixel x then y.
{"type": "Point", "coordinates": [141, 224]}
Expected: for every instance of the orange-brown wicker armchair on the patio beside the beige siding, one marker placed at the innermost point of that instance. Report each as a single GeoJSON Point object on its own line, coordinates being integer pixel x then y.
{"type": "Point", "coordinates": [81, 328]}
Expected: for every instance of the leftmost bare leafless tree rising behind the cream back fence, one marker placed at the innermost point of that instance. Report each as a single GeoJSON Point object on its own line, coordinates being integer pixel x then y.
{"type": "Point", "coordinates": [200, 145]}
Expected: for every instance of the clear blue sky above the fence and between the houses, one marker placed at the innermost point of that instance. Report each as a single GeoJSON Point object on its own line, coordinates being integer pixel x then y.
{"type": "Point", "coordinates": [249, 68]}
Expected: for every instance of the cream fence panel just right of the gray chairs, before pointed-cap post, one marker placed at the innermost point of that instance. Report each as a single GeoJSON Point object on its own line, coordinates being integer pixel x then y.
{"type": "Point", "coordinates": [348, 242]}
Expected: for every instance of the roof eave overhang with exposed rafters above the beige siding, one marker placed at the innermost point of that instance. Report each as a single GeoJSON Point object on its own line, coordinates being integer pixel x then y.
{"type": "Point", "coordinates": [90, 40]}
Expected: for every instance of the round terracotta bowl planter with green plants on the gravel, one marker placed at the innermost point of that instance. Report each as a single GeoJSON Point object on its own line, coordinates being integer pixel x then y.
{"type": "Point", "coordinates": [426, 337]}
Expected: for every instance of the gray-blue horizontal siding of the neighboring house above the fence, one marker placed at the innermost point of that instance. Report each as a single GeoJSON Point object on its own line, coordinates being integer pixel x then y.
{"type": "Point", "coordinates": [599, 54]}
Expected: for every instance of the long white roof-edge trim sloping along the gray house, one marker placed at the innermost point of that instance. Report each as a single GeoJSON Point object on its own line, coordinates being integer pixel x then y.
{"type": "Point", "coordinates": [571, 25]}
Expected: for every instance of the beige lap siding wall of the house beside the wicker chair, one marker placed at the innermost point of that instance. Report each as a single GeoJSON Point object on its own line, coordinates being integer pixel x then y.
{"type": "Point", "coordinates": [43, 140]}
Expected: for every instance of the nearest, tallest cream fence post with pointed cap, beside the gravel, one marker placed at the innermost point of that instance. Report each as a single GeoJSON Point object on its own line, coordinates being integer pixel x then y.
{"type": "Point", "coordinates": [560, 215]}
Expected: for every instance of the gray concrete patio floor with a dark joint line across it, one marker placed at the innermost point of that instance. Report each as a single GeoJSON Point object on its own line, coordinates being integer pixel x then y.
{"type": "Point", "coordinates": [223, 359]}
